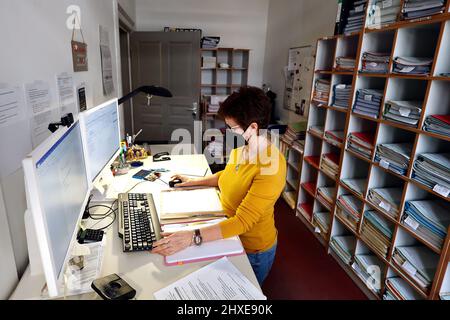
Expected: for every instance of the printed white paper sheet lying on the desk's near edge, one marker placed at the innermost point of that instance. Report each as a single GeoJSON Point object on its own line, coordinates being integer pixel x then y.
{"type": "Point", "coordinates": [220, 280]}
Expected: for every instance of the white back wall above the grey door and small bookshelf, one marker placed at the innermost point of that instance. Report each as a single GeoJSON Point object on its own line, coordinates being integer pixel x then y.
{"type": "Point", "coordinates": [240, 23]}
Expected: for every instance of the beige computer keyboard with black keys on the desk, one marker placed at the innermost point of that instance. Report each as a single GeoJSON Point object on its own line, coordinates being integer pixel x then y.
{"type": "Point", "coordinates": [139, 224]}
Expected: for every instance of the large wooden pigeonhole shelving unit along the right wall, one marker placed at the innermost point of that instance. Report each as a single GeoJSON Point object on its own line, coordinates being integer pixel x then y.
{"type": "Point", "coordinates": [428, 37]}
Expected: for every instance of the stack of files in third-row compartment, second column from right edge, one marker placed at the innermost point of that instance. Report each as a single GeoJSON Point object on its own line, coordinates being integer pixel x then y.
{"type": "Point", "coordinates": [394, 157]}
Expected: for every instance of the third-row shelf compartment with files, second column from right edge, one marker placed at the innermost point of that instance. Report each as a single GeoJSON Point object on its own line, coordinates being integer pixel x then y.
{"type": "Point", "coordinates": [394, 149]}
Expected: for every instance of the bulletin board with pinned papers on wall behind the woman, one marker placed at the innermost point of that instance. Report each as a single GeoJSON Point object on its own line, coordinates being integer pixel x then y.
{"type": "Point", "coordinates": [298, 75]}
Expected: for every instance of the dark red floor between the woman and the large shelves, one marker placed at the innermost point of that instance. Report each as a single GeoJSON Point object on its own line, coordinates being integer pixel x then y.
{"type": "Point", "coordinates": [302, 269]}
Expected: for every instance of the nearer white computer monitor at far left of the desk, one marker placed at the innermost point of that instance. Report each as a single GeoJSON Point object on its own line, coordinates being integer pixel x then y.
{"type": "Point", "coordinates": [57, 189]}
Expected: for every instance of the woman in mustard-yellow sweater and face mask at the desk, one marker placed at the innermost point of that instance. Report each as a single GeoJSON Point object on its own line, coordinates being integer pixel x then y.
{"type": "Point", "coordinates": [250, 185]}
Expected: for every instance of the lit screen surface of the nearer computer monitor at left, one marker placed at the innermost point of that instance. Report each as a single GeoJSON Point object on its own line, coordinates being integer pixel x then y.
{"type": "Point", "coordinates": [63, 187]}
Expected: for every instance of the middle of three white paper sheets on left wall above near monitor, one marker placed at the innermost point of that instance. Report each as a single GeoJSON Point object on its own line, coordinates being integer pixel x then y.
{"type": "Point", "coordinates": [41, 113]}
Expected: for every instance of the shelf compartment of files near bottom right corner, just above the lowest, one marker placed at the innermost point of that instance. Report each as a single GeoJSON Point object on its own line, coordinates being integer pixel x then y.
{"type": "Point", "coordinates": [422, 279]}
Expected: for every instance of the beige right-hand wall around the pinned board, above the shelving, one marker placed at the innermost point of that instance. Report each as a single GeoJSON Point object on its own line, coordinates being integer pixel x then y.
{"type": "Point", "coordinates": [293, 23]}
